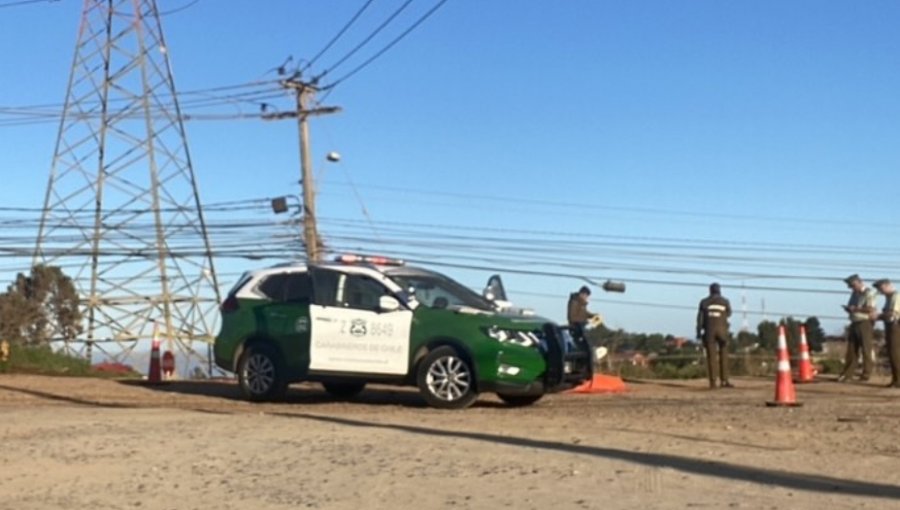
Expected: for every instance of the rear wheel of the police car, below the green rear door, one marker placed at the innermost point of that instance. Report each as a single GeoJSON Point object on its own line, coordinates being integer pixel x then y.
{"type": "Point", "coordinates": [261, 374]}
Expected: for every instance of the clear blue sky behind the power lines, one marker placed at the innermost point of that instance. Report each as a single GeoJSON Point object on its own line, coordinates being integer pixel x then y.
{"type": "Point", "coordinates": [663, 144]}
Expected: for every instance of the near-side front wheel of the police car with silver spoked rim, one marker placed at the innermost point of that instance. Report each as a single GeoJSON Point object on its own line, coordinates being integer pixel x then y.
{"type": "Point", "coordinates": [446, 379]}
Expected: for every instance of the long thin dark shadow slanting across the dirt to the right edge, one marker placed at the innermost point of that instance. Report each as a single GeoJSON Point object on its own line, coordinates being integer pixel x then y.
{"type": "Point", "coordinates": [769, 477]}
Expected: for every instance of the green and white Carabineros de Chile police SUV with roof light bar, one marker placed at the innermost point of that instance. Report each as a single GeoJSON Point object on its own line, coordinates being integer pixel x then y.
{"type": "Point", "coordinates": [373, 320]}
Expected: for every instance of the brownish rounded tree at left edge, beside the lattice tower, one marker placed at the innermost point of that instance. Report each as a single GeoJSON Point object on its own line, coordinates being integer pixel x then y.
{"type": "Point", "coordinates": [40, 307]}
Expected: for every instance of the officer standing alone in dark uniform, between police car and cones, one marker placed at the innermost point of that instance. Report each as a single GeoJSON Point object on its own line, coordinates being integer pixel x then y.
{"type": "Point", "coordinates": [712, 329]}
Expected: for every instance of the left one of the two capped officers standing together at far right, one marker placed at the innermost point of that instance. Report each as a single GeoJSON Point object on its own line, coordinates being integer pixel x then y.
{"type": "Point", "coordinates": [860, 334]}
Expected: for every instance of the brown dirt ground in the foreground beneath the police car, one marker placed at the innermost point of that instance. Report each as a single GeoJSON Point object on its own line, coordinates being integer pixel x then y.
{"type": "Point", "coordinates": [100, 444]}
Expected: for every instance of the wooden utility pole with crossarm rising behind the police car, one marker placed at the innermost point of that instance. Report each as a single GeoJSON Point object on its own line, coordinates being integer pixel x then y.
{"type": "Point", "coordinates": [306, 93]}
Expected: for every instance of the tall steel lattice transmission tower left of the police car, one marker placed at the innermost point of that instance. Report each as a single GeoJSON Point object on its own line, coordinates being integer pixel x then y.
{"type": "Point", "coordinates": [122, 213]}
